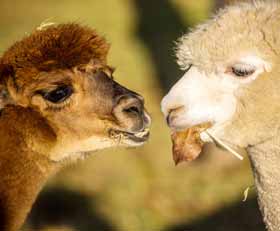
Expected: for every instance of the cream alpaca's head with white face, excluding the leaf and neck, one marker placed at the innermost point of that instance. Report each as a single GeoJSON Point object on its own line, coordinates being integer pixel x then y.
{"type": "Point", "coordinates": [232, 75]}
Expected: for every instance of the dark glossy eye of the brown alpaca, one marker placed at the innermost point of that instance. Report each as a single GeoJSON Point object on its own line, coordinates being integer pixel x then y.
{"type": "Point", "coordinates": [58, 95]}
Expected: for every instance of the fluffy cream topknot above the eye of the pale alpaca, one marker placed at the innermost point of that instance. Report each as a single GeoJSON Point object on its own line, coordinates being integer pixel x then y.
{"type": "Point", "coordinates": [246, 26]}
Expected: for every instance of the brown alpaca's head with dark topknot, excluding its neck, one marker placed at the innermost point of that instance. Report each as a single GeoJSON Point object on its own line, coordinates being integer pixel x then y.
{"type": "Point", "coordinates": [61, 73]}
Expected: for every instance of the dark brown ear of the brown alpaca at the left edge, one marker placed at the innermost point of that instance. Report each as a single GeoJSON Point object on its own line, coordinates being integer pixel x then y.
{"type": "Point", "coordinates": [5, 98]}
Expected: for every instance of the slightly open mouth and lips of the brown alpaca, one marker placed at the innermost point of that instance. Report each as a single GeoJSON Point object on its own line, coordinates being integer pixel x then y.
{"type": "Point", "coordinates": [138, 137]}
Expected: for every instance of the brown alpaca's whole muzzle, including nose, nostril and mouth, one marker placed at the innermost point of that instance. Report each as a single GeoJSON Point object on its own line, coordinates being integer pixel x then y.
{"type": "Point", "coordinates": [131, 116]}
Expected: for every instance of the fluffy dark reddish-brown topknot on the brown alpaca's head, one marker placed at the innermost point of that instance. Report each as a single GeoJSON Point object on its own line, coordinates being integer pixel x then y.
{"type": "Point", "coordinates": [57, 47]}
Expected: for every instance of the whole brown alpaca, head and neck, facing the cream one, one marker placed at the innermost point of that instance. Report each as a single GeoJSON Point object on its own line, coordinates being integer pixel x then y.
{"type": "Point", "coordinates": [59, 102]}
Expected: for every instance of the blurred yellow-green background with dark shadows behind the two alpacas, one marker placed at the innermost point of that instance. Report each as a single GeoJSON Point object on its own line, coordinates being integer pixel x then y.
{"type": "Point", "coordinates": [137, 189]}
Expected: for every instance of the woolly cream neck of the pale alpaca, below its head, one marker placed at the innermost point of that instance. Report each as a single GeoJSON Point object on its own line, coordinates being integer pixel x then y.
{"type": "Point", "coordinates": [265, 159]}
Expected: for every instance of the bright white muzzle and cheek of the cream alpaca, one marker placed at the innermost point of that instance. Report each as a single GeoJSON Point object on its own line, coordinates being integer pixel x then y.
{"type": "Point", "coordinates": [205, 98]}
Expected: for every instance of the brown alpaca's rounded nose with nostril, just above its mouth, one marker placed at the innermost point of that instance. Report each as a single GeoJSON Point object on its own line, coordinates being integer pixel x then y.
{"type": "Point", "coordinates": [130, 113]}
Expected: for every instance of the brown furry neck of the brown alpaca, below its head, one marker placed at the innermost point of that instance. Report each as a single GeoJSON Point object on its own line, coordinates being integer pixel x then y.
{"type": "Point", "coordinates": [23, 172]}
